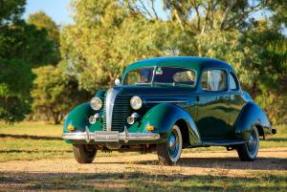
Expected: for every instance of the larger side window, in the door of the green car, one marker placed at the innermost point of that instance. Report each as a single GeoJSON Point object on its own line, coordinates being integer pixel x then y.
{"type": "Point", "coordinates": [214, 80]}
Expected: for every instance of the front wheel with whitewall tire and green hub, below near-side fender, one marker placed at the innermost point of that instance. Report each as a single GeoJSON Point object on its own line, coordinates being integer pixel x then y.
{"type": "Point", "coordinates": [170, 151]}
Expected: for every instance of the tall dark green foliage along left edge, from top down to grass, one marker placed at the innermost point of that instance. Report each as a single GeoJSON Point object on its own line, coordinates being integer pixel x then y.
{"type": "Point", "coordinates": [22, 47]}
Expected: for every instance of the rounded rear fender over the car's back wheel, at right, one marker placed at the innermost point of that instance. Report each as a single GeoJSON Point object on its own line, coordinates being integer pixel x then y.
{"type": "Point", "coordinates": [251, 115]}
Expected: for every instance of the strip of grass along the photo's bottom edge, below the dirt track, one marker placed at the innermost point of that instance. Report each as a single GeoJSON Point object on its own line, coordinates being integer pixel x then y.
{"type": "Point", "coordinates": [138, 181]}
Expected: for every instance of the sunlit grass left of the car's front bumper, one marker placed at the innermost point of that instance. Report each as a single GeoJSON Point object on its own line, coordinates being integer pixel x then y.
{"type": "Point", "coordinates": [18, 148]}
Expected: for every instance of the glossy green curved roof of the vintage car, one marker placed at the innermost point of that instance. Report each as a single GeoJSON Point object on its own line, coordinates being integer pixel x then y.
{"type": "Point", "coordinates": [180, 61]}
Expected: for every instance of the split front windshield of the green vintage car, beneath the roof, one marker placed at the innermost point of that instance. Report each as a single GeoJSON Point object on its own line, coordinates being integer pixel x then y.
{"type": "Point", "coordinates": [160, 75]}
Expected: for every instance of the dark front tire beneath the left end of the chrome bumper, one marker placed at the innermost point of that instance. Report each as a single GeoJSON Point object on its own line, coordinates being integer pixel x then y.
{"type": "Point", "coordinates": [84, 153]}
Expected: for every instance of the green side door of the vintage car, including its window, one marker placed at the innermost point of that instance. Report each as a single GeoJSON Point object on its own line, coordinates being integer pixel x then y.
{"type": "Point", "coordinates": [212, 105]}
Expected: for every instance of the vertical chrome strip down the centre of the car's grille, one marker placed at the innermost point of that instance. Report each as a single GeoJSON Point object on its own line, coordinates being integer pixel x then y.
{"type": "Point", "coordinates": [109, 102]}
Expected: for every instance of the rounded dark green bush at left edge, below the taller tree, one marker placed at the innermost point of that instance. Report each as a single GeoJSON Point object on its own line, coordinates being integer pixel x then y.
{"type": "Point", "coordinates": [15, 82]}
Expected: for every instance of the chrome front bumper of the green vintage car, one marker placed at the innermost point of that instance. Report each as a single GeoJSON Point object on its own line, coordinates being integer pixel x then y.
{"type": "Point", "coordinates": [110, 136]}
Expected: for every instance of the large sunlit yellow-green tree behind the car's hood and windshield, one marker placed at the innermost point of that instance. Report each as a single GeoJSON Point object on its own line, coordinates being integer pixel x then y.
{"type": "Point", "coordinates": [106, 37]}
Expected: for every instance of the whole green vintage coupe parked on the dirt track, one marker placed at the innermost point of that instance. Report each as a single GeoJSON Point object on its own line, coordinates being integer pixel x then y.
{"type": "Point", "coordinates": [167, 104]}
